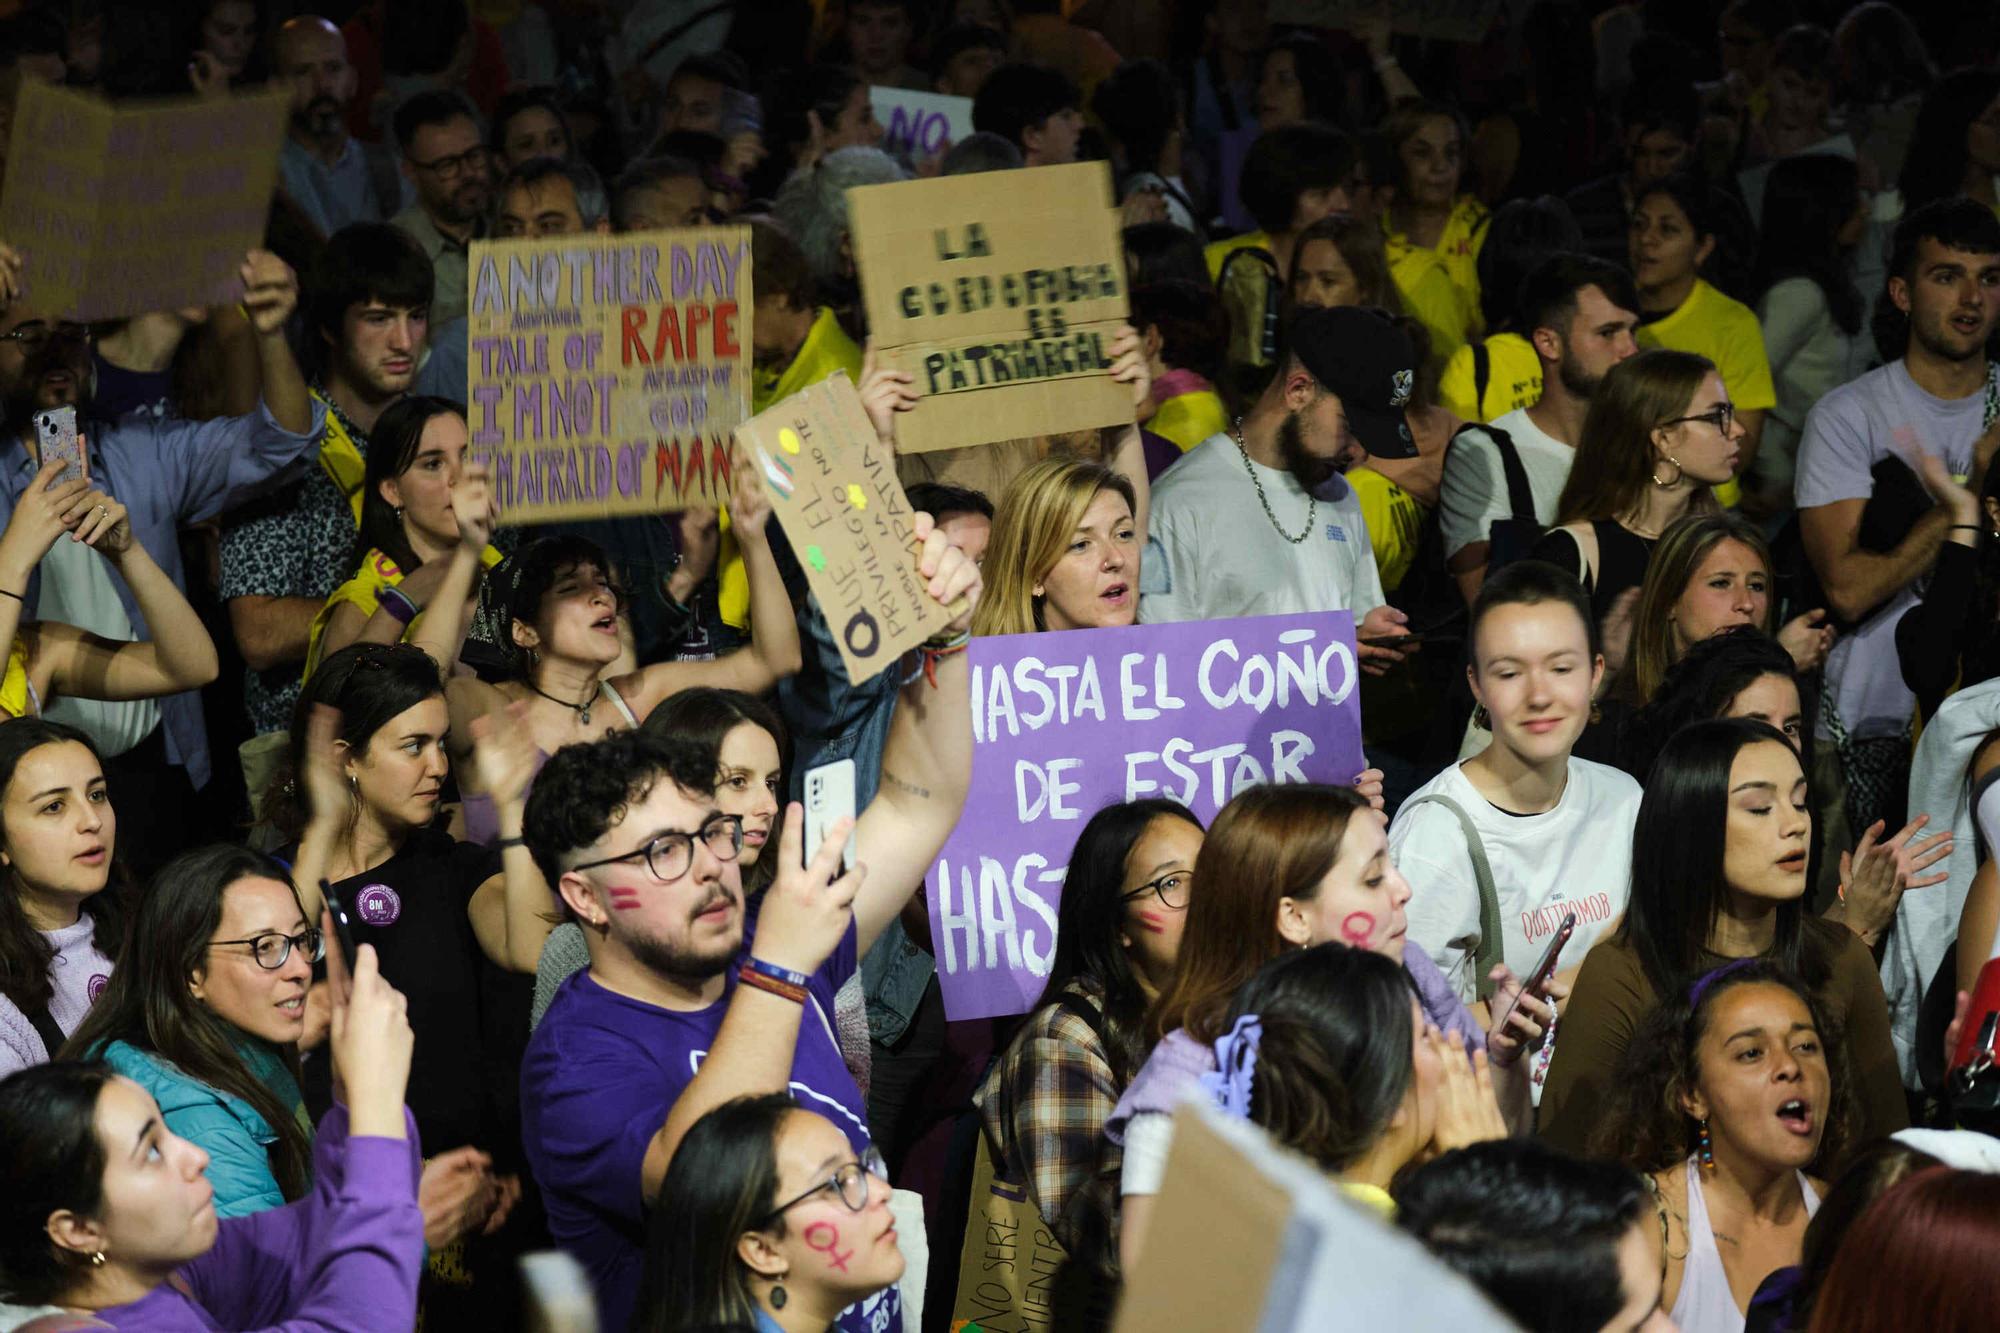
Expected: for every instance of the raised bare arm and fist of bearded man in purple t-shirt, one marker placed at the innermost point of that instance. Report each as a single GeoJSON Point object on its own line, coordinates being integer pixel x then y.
{"type": "Point", "coordinates": [927, 762]}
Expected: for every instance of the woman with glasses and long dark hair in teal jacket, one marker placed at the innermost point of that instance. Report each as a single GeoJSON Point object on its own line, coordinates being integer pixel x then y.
{"type": "Point", "coordinates": [209, 1014]}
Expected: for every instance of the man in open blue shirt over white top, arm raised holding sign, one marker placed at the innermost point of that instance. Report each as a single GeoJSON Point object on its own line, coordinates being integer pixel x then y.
{"type": "Point", "coordinates": [171, 475]}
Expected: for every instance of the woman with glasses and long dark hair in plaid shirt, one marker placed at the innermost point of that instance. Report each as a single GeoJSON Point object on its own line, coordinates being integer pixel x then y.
{"type": "Point", "coordinates": [1045, 1104]}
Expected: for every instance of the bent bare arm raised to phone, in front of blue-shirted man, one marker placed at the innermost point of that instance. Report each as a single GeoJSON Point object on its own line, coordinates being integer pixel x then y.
{"type": "Point", "coordinates": [177, 657]}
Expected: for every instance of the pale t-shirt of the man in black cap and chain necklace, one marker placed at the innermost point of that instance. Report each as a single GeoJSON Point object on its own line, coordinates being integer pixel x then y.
{"type": "Point", "coordinates": [1213, 551]}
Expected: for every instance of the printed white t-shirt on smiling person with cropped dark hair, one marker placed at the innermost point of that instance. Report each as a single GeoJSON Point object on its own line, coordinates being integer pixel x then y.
{"type": "Point", "coordinates": [1575, 858]}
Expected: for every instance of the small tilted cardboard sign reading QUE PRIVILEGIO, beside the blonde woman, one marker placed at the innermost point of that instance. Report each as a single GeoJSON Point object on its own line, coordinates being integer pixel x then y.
{"type": "Point", "coordinates": [835, 491]}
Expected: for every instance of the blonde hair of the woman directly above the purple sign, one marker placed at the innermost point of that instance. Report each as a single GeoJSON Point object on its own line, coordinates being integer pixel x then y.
{"type": "Point", "coordinates": [1033, 527]}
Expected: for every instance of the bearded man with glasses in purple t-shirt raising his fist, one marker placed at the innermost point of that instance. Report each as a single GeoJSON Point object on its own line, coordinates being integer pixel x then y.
{"type": "Point", "coordinates": [693, 996]}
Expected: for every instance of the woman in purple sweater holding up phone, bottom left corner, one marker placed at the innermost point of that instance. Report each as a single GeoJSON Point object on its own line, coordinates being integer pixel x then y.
{"type": "Point", "coordinates": [111, 1214]}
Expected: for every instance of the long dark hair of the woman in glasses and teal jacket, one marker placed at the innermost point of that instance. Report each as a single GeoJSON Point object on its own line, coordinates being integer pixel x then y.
{"type": "Point", "coordinates": [149, 1002]}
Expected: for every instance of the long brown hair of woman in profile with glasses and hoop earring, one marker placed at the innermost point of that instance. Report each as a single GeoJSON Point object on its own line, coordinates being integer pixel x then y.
{"type": "Point", "coordinates": [1615, 457]}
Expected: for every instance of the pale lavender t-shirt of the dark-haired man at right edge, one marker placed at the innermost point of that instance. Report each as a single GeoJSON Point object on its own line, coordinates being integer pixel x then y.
{"type": "Point", "coordinates": [1881, 415]}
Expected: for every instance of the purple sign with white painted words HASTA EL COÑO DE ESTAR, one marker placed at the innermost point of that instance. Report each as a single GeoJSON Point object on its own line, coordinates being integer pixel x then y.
{"type": "Point", "coordinates": [1069, 724]}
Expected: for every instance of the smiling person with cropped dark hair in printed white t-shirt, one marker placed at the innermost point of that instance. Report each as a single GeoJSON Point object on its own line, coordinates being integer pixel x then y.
{"type": "Point", "coordinates": [1503, 848]}
